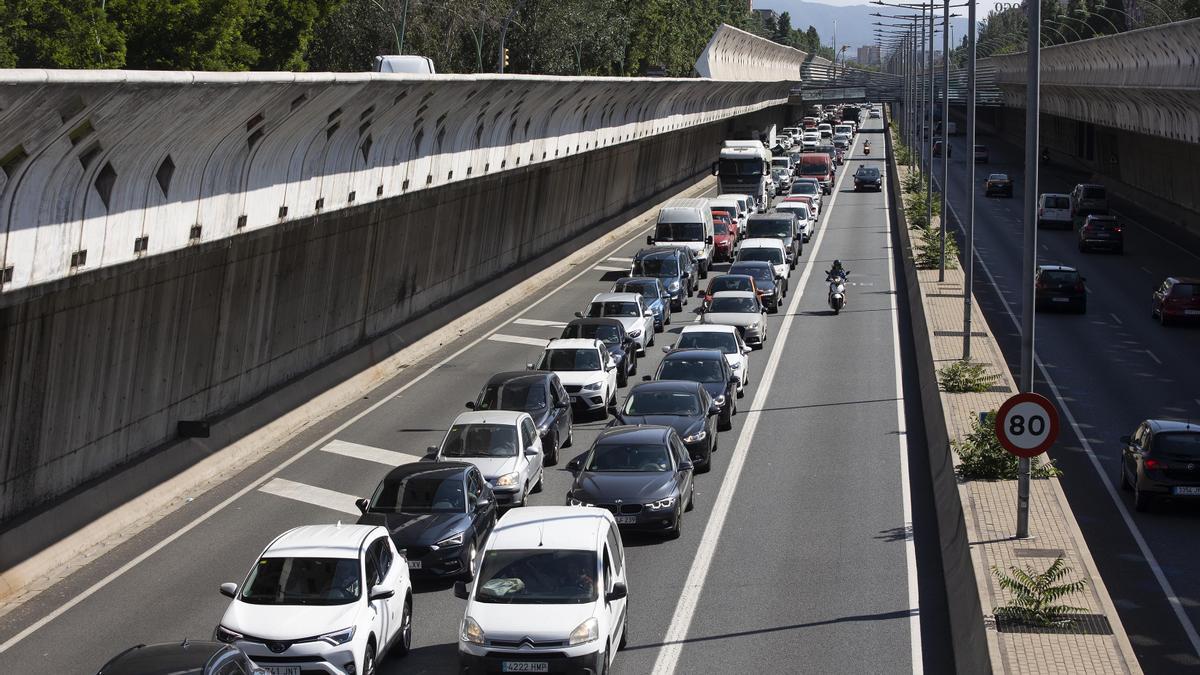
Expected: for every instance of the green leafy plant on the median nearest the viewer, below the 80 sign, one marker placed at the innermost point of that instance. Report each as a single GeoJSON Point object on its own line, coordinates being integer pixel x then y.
{"type": "Point", "coordinates": [1039, 596]}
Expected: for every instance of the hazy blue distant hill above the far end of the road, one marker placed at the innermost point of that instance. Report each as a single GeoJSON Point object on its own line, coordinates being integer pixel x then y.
{"type": "Point", "coordinates": [854, 21]}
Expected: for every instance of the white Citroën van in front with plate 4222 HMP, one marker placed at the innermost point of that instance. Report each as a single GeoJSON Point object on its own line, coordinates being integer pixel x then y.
{"type": "Point", "coordinates": [550, 595]}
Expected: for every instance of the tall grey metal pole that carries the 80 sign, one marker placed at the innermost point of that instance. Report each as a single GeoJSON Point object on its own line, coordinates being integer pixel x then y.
{"type": "Point", "coordinates": [1033, 110]}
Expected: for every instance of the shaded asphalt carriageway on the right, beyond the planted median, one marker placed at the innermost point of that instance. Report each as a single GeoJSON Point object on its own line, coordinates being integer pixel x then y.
{"type": "Point", "coordinates": [1107, 371]}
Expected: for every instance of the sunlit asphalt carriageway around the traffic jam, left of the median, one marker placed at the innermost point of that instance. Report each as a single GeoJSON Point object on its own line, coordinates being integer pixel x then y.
{"type": "Point", "coordinates": [805, 553]}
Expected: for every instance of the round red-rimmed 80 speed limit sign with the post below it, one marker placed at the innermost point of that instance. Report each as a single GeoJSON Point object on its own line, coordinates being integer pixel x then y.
{"type": "Point", "coordinates": [1027, 426]}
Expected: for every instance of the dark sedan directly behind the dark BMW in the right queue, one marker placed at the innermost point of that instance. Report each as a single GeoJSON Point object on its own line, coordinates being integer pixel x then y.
{"type": "Point", "coordinates": [679, 404]}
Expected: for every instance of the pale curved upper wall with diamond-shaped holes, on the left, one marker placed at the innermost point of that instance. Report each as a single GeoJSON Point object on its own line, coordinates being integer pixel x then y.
{"type": "Point", "coordinates": [100, 169]}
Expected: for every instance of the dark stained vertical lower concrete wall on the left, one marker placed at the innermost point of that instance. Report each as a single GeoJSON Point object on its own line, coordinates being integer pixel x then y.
{"type": "Point", "coordinates": [97, 371]}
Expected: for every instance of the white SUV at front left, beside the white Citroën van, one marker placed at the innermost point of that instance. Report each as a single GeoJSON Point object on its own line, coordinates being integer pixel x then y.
{"type": "Point", "coordinates": [322, 599]}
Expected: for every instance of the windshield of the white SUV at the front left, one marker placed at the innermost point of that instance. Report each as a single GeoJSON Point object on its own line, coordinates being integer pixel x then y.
{"type": "Point", "coordinates": [304, 581]}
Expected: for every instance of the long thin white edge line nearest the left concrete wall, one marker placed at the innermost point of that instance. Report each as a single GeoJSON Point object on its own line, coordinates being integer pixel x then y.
{"type": "Point", "coordinates": [201, 519]}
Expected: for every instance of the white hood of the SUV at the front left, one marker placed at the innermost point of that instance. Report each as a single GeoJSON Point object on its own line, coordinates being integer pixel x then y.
{"type": "Point", "coordinates": [289, 622]}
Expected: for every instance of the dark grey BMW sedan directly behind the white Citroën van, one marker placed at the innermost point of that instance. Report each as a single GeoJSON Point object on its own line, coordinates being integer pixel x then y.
{"type": "Point", "coordinates": [641, 474]}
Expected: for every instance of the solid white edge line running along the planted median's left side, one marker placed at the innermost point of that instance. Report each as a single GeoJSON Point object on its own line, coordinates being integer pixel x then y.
{"type": "Point", "coordinates": [910, 545]}
